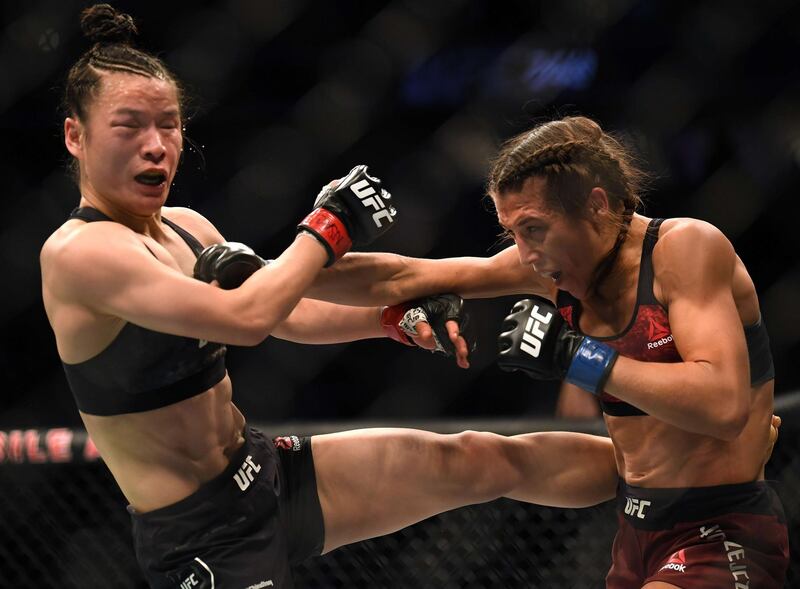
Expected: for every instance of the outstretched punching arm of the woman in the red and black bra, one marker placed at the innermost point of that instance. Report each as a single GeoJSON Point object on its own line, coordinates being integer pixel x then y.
{"type": "Point", "coordinates": [387, 279]}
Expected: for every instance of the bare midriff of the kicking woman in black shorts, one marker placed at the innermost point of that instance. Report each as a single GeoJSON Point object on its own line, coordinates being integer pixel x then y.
{"type": "Point", "coordinates": [161, 456]}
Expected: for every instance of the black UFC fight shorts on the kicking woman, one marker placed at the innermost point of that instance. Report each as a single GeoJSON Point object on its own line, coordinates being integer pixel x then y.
{"type": "Point", "coordinates": [241, 530]}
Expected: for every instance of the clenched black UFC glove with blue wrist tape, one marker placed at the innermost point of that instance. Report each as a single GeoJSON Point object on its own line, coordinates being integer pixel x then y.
{"type": "Point", "coordinates": [538, 341]}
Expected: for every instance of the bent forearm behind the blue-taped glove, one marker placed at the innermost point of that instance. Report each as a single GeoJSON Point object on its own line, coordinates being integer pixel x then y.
{"type": "Point", "coordinates": [694, 396]}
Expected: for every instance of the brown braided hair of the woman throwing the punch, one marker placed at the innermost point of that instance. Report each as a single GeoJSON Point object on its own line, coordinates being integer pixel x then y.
{"type": "Point", "coordinates": [574, 155]}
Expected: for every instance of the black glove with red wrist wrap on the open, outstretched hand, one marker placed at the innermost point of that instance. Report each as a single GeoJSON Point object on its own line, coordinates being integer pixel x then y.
{"type": "Point", "coordinates": [399, 321]}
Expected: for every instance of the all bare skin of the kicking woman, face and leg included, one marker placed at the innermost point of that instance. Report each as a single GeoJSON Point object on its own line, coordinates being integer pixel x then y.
{"type": "Point", "coordinates": [98, 276]}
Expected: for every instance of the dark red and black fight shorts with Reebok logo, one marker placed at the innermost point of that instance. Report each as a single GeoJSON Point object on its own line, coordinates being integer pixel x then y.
{"type": "Point", "coordinates": [731, 536]}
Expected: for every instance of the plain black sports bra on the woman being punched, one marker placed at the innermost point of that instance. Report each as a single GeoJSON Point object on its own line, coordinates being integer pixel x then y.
{"type": "Point", "coordinates": [143, 369]}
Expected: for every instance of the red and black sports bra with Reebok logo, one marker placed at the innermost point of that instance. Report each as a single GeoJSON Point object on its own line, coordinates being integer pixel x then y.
{"type": "Point", "coordinates": [648, 336]}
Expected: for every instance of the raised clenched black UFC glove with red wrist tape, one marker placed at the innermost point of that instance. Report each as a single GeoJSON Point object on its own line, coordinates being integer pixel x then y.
{"type": "Point", "coordinates": [354, 212]}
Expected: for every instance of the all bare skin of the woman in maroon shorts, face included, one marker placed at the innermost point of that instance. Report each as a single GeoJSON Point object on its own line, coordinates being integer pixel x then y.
{"type": "Point", "coordinates": [706, 424]}
